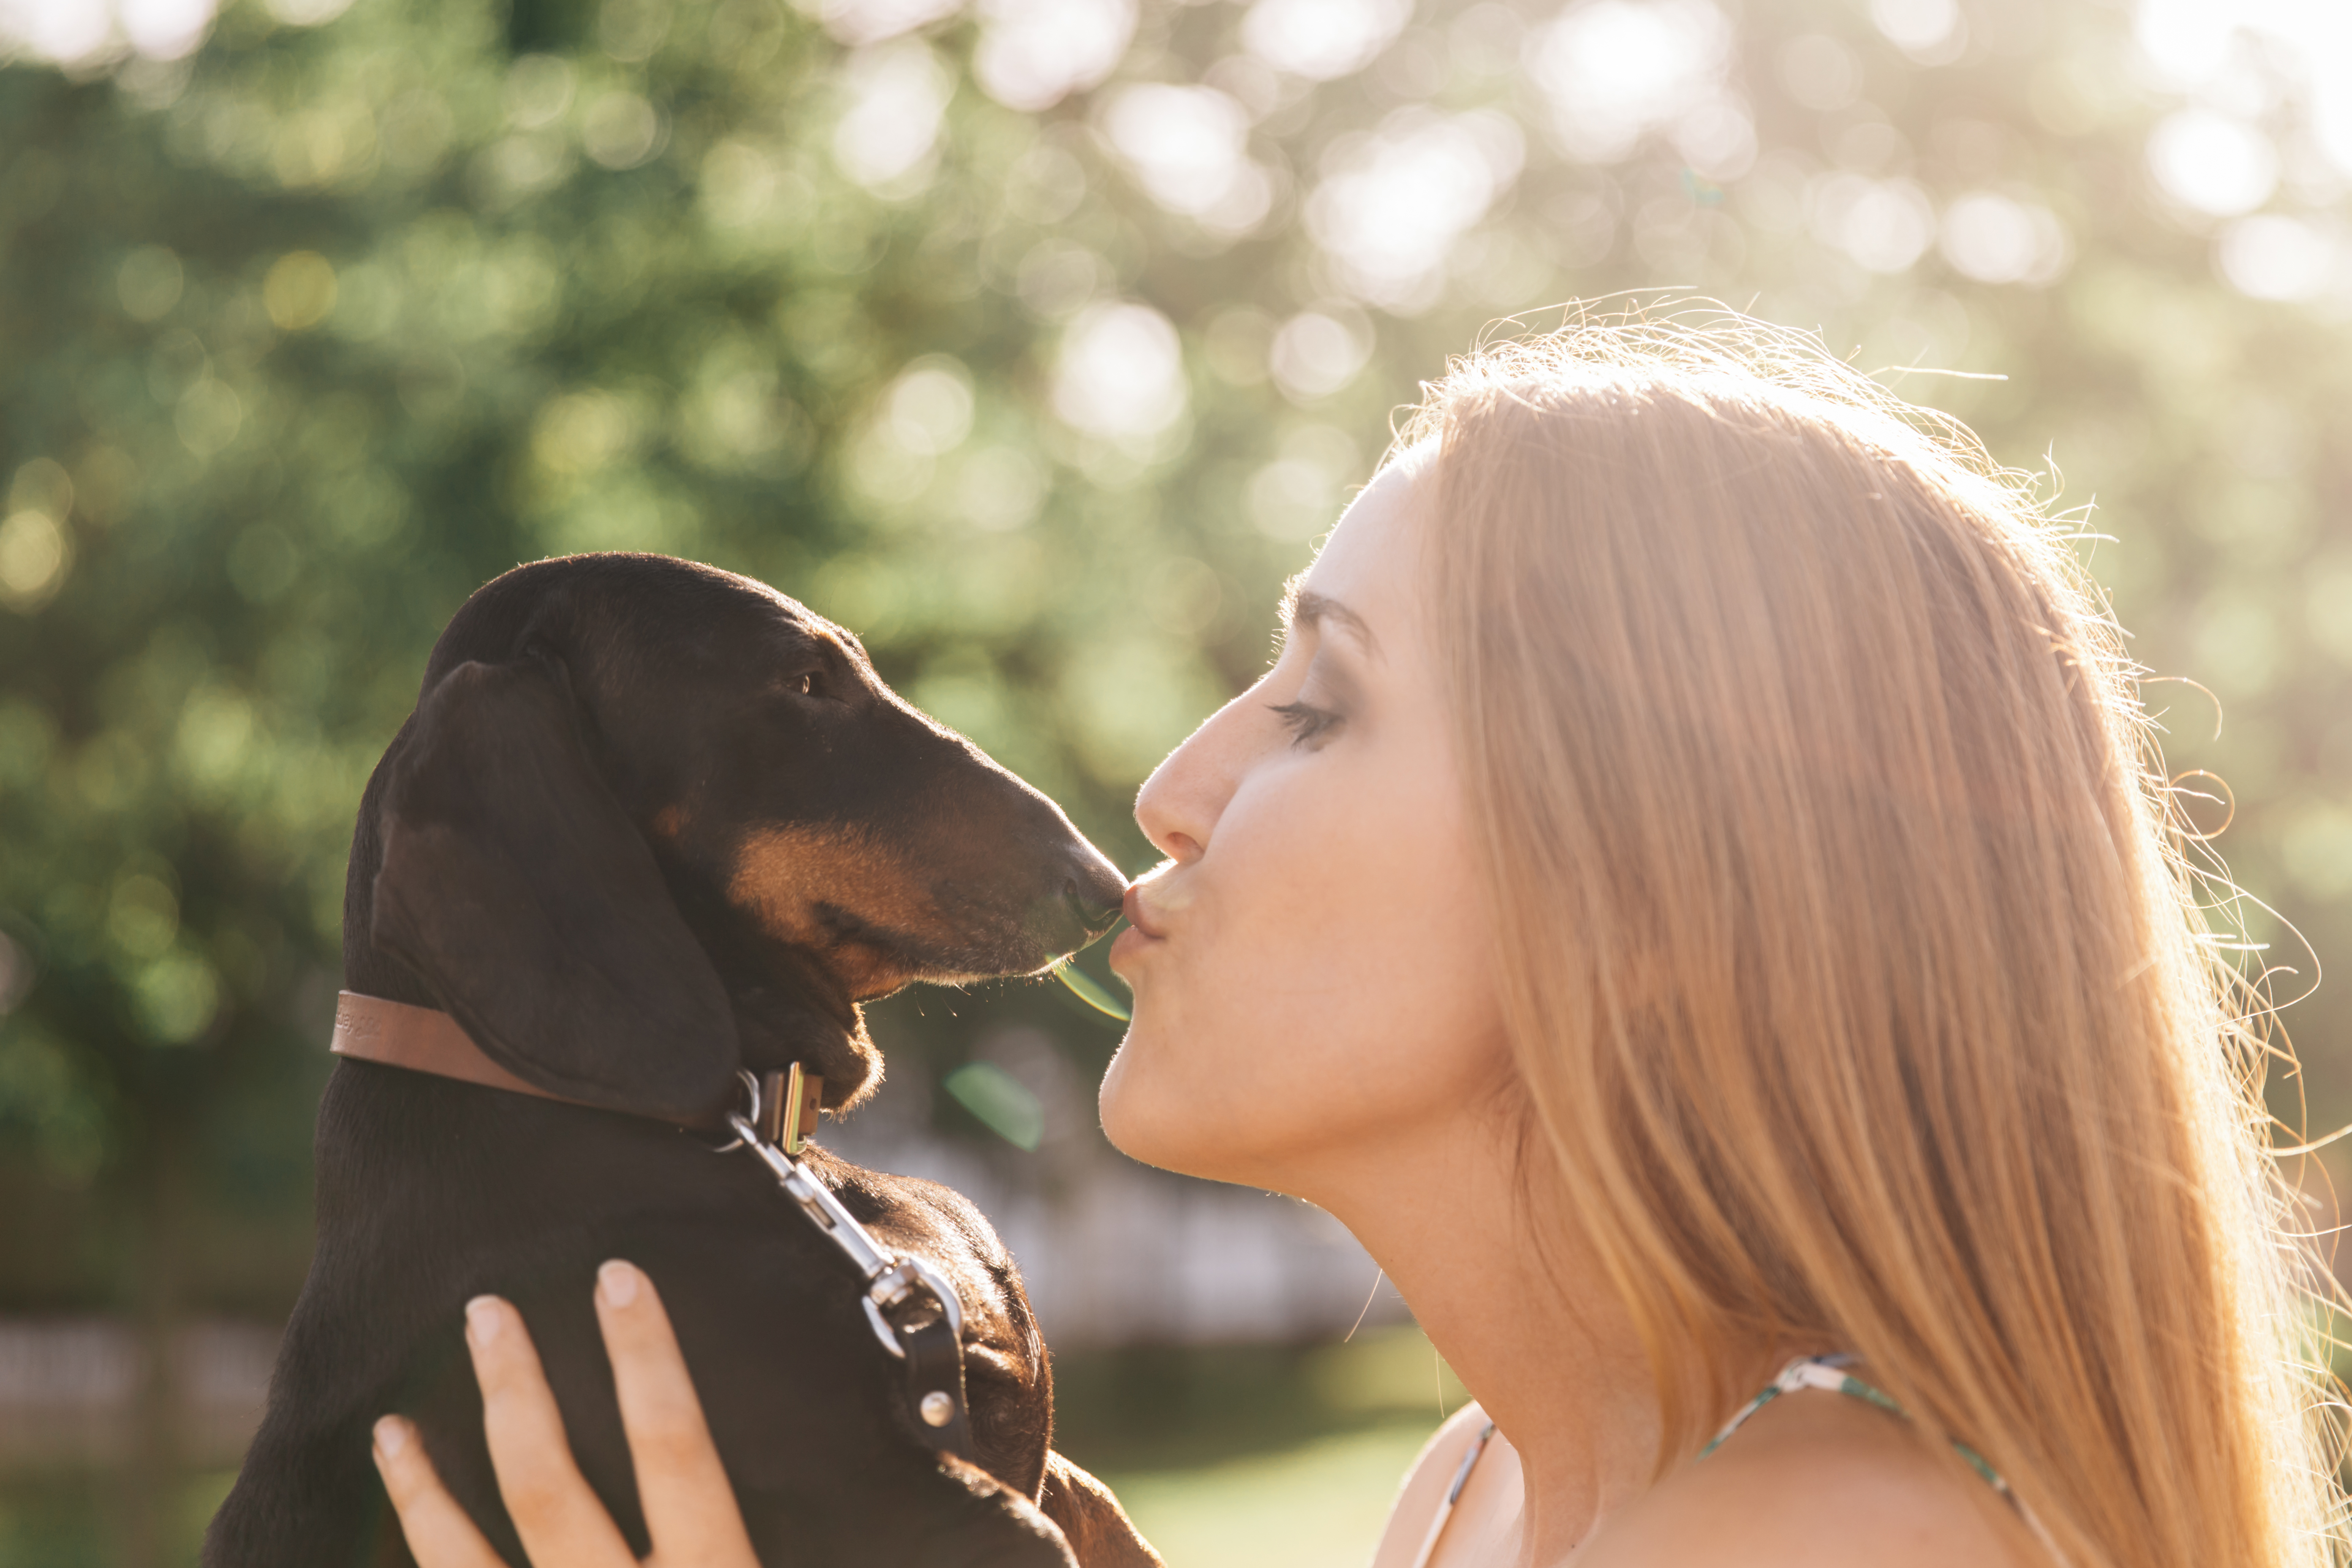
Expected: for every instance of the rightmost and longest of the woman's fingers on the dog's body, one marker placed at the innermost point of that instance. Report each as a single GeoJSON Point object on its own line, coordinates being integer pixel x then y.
{"type": "Point", "coordinates": [690, 1508]}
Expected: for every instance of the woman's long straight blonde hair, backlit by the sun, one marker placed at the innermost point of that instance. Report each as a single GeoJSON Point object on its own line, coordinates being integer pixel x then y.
{"type": "Point", "coordinates": [1852, 967]}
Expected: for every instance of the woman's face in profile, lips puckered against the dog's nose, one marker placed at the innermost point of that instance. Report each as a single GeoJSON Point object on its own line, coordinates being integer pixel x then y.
{"type": "Point", "coordinates": [1311, 965]}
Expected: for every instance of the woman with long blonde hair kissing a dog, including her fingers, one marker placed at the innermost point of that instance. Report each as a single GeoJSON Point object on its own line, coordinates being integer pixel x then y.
{"type": "Point", "coordinates": [1697, 897]}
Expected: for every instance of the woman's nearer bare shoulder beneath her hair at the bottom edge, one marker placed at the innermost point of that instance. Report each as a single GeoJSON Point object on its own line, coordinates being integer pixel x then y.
{"type": "Point", "coordinates": [1822, 1482]}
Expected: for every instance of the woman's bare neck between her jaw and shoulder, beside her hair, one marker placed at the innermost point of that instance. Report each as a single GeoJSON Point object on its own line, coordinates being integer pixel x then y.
{"type": "Point", "coordinates": [1542, 1343]}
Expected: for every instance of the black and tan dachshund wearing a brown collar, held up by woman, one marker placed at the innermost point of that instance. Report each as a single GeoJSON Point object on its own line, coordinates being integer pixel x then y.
{"type": "Point", "coordinates": [648, 829]}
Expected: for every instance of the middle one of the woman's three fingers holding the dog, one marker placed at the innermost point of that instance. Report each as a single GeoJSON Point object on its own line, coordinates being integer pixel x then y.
{"type": "Point", "coordinates": [554, 1510]}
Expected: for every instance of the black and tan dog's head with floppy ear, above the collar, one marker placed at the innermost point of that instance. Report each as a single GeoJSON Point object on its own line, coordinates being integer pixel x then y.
{"type": "Point", "coordinates": [655, 822]}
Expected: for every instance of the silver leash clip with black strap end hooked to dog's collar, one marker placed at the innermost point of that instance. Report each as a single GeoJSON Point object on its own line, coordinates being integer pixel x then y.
{"type": "Point", "coordinates": [914, 1311]}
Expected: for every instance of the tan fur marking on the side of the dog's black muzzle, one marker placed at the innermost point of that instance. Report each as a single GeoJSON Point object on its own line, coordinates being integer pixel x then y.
{"type": "Point", "coordinates": [784, 873]}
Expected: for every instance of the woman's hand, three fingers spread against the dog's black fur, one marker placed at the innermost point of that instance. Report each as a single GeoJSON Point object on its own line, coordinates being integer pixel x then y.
{"type": "Point", "coordinates": [688, 1506]}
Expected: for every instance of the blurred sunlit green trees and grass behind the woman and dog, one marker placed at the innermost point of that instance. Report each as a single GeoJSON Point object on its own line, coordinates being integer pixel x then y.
{"type": "Point", "coordinates": [1036, 340]}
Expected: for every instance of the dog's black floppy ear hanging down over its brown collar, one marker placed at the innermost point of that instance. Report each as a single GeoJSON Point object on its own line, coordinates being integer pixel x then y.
{"type": "Point", "coordinates": [521, 894]}
